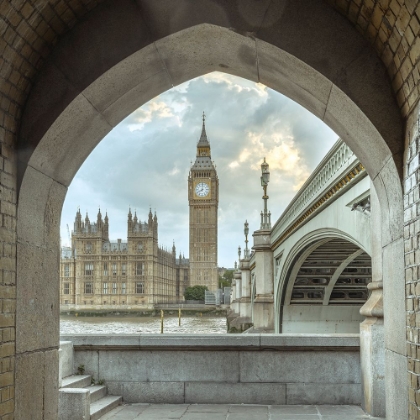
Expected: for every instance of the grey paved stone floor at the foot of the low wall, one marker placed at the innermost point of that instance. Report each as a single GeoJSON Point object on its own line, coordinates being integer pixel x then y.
{"type": "Point", "coordinates": [235, 412]}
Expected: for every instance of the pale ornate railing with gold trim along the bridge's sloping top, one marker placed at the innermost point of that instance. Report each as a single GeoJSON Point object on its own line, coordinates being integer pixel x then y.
{"type": "Point", "coordinates": [338, 168]}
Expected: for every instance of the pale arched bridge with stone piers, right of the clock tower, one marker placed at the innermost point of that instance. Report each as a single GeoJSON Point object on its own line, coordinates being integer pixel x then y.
{"type": "Point", "coordinates": [318, 268]}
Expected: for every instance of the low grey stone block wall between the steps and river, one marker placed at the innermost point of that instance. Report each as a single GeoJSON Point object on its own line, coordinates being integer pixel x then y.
{"type": "Point", "coordinates": [235, 369]}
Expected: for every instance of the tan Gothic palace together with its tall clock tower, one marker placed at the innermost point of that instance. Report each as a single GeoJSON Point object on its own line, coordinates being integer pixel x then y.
{"type": "Point", "coordinates": [138, 272]}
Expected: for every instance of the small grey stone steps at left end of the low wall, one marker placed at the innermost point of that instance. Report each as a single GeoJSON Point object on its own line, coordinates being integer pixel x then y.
{"type": "Point", "coordinates": [78, 398]}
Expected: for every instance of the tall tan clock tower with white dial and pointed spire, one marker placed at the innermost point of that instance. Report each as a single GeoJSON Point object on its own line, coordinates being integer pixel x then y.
{"type": "Point", "coordinates": [203, 198]}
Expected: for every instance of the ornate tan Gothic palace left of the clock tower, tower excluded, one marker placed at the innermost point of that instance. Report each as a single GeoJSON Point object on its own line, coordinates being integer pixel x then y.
{"type": "Point", "coordinates": [138, 272]}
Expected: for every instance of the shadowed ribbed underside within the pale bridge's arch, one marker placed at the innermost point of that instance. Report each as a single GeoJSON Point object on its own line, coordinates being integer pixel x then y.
{"type": "Point", "coordinates": [326, 288]}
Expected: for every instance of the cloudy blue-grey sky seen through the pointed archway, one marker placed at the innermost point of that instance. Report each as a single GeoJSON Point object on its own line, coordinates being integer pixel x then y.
{"type": "Point", "coordinates": [144, 162]}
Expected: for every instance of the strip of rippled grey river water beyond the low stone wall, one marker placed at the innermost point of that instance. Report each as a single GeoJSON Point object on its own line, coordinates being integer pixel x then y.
{"type": "Point", "coordinates": [136, 325]}
